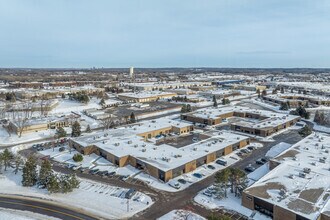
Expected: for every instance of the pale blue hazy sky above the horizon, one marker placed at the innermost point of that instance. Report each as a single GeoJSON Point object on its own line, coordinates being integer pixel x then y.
{"type": "Point", "coordinates": [158, 33]}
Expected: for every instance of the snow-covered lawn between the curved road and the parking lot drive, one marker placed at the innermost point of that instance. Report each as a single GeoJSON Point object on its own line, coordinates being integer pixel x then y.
{"type": "Point", "coordinates": [108, 201]}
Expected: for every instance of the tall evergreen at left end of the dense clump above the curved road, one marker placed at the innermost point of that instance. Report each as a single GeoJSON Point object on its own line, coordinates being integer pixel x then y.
{"type": "Point", "coordinates": [30, 176]}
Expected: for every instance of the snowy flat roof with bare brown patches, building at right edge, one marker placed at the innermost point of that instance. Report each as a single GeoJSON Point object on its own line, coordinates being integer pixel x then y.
{"type": "Point", "coordinates": [300, 183]}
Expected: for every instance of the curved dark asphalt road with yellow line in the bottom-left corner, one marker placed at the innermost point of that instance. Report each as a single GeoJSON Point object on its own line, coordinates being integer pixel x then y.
{"type": "Point", "coordinates": [42, 207]}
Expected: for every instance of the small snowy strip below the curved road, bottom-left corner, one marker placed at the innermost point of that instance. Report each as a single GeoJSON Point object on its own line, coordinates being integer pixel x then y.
{"type": "Point", "coordinates": [9, 214]}
